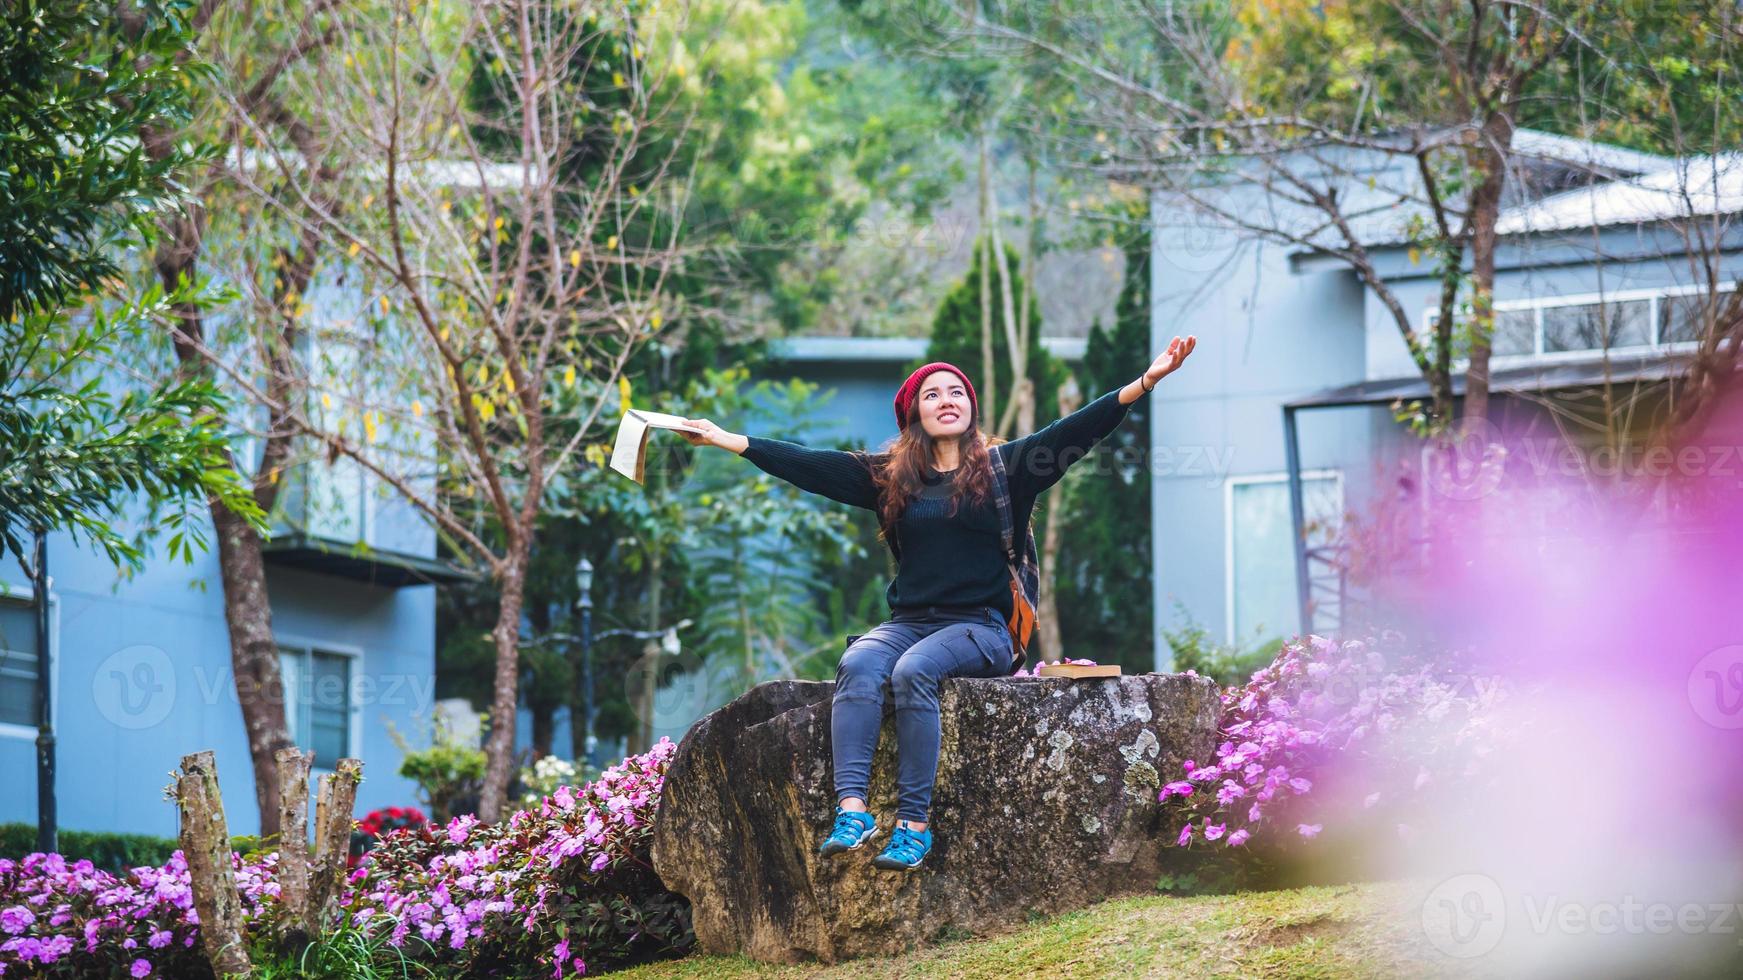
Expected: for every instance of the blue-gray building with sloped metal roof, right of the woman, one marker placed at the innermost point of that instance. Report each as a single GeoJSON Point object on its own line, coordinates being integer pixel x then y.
{"type": "Point", "coordinates": [1601, 275]}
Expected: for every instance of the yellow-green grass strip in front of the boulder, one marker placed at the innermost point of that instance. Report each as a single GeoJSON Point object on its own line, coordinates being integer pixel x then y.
{"type": "Point", "coordinates": [1345, 932]}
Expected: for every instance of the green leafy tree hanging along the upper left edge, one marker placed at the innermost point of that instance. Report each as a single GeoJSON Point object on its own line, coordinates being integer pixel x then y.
{"type": "Point", "coordinates": [79, 442]}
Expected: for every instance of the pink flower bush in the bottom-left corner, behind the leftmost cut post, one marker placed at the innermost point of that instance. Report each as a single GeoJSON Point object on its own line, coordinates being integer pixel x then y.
{"type": "Point", "coordinates": [71, 920]}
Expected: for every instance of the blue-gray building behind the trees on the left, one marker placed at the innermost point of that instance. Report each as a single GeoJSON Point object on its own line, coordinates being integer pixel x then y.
{"type": "Point", "coordinates": [142, 667]}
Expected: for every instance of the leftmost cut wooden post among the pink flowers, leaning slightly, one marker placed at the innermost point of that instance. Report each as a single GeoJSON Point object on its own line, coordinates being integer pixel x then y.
{"type": "Point", "coordinates": [207, 847]}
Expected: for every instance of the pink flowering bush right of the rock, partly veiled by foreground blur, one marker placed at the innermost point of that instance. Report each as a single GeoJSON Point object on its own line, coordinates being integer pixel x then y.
{"type": "Point", "coordinates": [1336, 716]}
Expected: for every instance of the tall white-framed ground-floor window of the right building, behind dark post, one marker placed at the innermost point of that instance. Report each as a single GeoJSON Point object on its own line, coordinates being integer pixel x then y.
{"type": "Point", "coordinates": [1263, 599]}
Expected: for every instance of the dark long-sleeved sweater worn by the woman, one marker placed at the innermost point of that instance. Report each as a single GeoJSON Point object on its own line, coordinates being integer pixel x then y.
{"type": "Point", "coordinates": [951, 561]}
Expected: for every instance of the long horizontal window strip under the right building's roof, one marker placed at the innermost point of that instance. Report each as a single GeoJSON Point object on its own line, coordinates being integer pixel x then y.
{"type": "Point", "coordinates": [1634, 320]}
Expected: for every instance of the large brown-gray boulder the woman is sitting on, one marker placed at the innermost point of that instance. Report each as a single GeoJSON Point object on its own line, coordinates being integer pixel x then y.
{"type": "Point", "coordinates": [1045, 801]}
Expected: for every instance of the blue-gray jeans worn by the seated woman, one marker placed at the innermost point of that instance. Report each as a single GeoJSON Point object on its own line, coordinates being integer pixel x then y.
{"type": "Point", "coordinates": [914, 653]}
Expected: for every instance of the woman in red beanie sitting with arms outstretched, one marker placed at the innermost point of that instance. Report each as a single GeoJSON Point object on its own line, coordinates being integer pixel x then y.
{"type": "Point", "coordinates": [953, 590]}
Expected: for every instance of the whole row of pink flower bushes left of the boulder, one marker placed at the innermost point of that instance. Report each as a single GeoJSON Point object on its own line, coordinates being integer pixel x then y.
{"type": "Point", "coordinates": [546, 894]}
